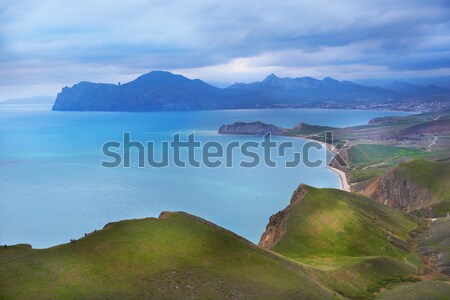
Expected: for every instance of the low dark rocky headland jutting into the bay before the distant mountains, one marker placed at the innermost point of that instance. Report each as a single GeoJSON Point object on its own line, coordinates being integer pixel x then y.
{"type": "Point", "coordinates": [254, 128]}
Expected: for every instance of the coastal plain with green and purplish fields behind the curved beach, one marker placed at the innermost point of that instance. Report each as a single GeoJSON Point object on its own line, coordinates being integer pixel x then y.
{"type": "Point", "coordinates": [387, 142]}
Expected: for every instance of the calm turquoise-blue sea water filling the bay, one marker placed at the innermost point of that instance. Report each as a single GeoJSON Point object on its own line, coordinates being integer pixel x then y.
{"type": "Point", "coordinates": [53, 189]}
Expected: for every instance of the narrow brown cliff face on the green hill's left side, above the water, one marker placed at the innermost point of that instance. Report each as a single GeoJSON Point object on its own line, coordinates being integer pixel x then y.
{"type": "Point", "coordinates": [277, 222]}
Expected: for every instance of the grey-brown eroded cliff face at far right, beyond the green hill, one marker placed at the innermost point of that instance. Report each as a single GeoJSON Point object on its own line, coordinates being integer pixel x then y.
{"type": "Point", "coordinates": [398, 190]}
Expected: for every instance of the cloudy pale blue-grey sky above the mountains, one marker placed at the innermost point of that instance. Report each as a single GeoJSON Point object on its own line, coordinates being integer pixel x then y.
{"type": "Point", "coordinates": [48, 44]}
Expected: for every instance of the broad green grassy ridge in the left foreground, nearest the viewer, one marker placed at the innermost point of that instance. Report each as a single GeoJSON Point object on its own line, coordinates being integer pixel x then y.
{"type": "Point", "coordinates": [177, 257]}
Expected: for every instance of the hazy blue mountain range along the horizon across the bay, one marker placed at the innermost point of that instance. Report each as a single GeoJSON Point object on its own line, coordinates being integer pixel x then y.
{"type": "Point", "coordinates": [159, 90]}
